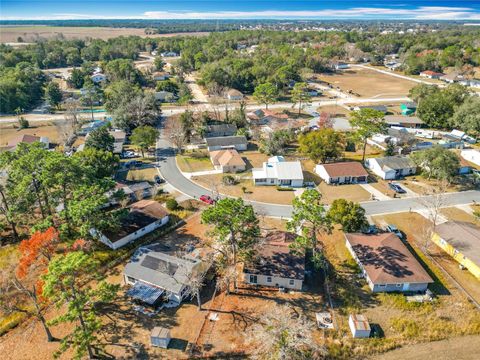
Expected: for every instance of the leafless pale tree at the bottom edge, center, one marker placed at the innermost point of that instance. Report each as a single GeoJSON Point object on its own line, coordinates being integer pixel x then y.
{"type": "Point", "coordinates": [281, 333]}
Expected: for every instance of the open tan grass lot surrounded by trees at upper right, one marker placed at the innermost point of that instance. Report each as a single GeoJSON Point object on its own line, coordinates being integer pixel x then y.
{"type": "Point", "coordinates": [369, 83]}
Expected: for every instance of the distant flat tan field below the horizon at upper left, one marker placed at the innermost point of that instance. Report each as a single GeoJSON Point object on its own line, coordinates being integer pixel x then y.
{"type": "Point", "coordinates": [32, 33]}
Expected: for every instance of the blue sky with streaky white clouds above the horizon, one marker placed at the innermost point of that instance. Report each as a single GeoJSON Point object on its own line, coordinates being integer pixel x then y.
{"type": "Point", "coordinates": [240, 9]}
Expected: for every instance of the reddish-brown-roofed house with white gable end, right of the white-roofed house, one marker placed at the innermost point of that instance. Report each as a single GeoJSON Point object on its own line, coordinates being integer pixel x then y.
{"type": "Point", "coordinates": [350, 172]}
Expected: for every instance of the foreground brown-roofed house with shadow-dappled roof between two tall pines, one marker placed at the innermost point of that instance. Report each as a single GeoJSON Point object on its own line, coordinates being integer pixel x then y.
{"type": "Point", "coordinates": [276, 264]}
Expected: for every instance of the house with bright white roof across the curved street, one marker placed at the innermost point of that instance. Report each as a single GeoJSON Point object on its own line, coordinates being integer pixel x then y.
{"type": "Point", "coordinates": [277, 171]}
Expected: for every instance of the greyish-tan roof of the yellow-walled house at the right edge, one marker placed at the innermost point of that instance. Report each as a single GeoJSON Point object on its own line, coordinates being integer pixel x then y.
{"type": "Point", "coordinates": [463, 236]}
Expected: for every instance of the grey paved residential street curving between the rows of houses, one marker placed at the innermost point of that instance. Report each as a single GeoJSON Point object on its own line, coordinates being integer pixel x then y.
{"type": "Point", "coordinates": [170, 172]}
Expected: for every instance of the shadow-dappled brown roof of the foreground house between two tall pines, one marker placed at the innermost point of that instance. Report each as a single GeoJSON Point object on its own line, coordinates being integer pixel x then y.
{"type": "Point", "coordinates": [275, 258]}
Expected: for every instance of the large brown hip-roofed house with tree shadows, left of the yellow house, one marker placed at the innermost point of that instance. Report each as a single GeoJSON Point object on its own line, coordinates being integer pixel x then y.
{"type": "Point", "coordinates": [386, 263]}
